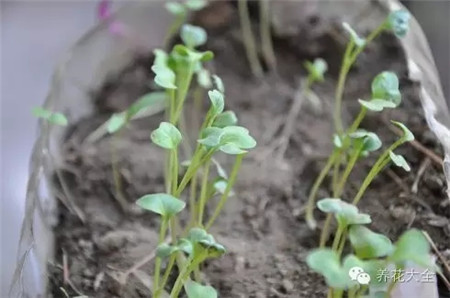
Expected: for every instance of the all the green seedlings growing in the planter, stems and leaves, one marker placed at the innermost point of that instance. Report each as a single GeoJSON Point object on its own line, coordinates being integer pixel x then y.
{"type": "Point", "coordinates": [189, 184]}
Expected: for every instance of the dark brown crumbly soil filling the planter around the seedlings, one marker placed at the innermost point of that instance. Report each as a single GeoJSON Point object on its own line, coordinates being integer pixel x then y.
{"type": "Point", "coordinates": [263, 225]}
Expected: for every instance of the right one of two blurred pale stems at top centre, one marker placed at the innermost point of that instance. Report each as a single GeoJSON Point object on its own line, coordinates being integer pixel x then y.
{"type": "Point", "coordinates": [264, 29]}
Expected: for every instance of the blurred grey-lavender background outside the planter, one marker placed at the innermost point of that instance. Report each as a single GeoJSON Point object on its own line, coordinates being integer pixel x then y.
{"type": "Point", "coordinates": [34, 34]}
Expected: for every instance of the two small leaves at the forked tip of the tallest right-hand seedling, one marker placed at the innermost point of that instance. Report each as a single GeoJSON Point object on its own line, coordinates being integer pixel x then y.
{"type": "Point", "coordinates": [397, 22]}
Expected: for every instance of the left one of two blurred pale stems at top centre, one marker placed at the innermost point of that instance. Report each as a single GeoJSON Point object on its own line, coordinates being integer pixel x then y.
{"type": "Point", "coordinates": [249, 40]}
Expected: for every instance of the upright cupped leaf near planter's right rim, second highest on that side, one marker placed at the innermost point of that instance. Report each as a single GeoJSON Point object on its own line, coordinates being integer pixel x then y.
{"type": "Point", "coordinates": [385, 86]}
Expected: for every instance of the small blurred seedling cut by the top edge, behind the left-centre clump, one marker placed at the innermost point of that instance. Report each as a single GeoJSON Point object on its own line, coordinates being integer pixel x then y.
{"type": "Point", "coordinates": [181, 11]}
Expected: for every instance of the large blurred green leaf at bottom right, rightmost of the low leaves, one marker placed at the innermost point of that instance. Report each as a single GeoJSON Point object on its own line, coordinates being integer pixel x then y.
{"type": "Point", "coordinates": [413, 246]}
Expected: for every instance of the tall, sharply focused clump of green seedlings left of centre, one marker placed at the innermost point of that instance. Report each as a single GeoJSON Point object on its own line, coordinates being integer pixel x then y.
{"type": "Point", "coordinates": [219, 132]}
